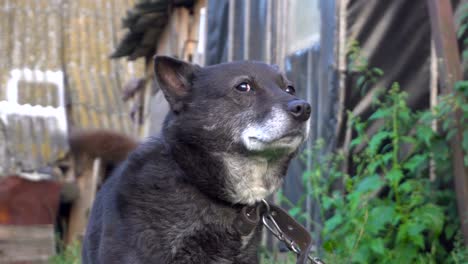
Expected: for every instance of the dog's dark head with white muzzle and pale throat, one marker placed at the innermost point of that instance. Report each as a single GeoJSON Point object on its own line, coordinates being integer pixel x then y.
{"type": "Point", "coordinates": [244, 112]}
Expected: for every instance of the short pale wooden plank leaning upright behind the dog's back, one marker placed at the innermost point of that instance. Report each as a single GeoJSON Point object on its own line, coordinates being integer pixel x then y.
{"type": "Point", "coordinates": [87, 184]}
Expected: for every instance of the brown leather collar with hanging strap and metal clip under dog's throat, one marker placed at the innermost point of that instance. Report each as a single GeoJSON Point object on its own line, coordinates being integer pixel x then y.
{"type": "Point", "coordinates": [282, 226]}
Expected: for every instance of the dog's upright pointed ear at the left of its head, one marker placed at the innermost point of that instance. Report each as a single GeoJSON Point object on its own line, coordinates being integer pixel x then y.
{"type": "Point", "coordinates": [175, 79]}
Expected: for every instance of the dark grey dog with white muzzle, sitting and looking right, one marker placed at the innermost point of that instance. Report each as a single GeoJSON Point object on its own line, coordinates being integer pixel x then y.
{"type": "Point", "coordinates": [232, 130]}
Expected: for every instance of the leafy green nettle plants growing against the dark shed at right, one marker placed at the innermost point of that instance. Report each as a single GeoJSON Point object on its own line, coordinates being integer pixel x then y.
{"type": "Point", "coordinates": [389, 209]}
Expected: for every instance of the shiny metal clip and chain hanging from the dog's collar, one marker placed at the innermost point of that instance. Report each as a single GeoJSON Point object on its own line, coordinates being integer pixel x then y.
{"type": "Point", "coordinates": [273, 227]}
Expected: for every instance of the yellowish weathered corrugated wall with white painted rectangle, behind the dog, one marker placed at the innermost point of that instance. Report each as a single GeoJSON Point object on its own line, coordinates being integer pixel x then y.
{"type": "Point", "coordinates": [71, 39]}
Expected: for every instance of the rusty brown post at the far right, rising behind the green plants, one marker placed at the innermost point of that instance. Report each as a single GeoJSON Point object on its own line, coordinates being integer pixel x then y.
{"type": "Point", "coordinates": [445, 40]}
